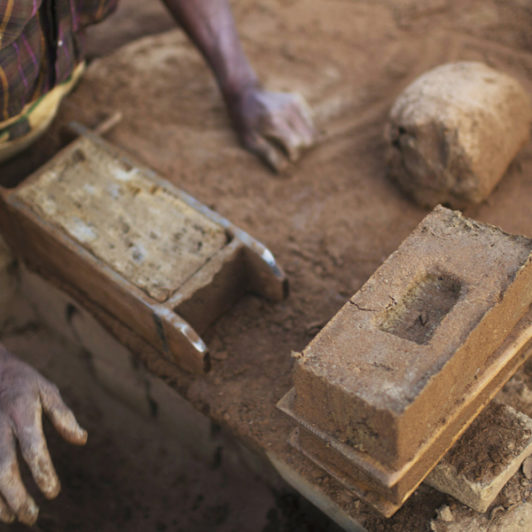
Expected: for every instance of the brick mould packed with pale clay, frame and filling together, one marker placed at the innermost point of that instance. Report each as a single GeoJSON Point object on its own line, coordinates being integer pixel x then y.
{"type": "Point", "coordinates": [111, 231]}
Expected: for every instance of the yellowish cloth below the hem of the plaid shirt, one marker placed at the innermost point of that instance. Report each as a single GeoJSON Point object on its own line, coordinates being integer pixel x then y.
{"type": "Point", "coordinates": [39, 115]}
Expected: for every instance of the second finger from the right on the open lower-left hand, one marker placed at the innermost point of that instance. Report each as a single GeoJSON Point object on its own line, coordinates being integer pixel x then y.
{"type": "Point", "coordinates": [28, 430]}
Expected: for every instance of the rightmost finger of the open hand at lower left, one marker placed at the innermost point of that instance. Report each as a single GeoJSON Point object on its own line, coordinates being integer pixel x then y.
{"type": "Point", "coordinates": [61, 416]}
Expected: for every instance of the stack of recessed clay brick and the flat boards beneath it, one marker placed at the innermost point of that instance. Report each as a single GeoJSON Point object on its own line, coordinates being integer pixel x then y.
{"type": "Point", "coordinates": [388, 385]}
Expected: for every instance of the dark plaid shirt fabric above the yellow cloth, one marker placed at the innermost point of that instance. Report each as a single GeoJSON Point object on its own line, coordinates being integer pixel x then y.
{"type": "Point", "coordinates": [41, 42]}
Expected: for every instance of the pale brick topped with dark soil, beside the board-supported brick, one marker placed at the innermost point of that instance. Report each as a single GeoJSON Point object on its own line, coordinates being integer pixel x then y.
{"type": "Point", "coordinates": [478, 466]}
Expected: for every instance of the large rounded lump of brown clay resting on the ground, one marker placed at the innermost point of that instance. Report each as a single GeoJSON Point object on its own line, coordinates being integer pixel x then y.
{"type": "Point", "coordinates": [453, 132]}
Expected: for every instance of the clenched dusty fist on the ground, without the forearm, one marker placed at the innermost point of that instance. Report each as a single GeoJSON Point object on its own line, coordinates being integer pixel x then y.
{"type": "Point", "coordinates": [266, 121]}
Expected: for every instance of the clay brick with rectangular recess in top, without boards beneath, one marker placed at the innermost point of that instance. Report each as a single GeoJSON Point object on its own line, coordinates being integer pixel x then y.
{"type": "Point", "coordinates": [391, 365]}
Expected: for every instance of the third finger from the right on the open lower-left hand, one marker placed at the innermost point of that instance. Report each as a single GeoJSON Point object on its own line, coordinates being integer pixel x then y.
{"type": "Point", "coordinates": [11, 488]}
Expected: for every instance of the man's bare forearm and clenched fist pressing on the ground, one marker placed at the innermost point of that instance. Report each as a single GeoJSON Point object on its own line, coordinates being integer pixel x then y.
{"type": "Point", "coordinates": [262, 119]}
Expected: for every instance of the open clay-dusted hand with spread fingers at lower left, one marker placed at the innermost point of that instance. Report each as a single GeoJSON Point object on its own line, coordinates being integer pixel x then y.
{"type": "Point", "coordinates": [24, 394]}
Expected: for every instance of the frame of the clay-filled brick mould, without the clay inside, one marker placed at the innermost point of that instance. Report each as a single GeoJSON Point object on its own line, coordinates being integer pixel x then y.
{"type": "Point", "coordinates": [55, 255]}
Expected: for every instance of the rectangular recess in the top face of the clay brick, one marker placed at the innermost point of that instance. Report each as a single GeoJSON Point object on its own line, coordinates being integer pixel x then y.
{"type": "Point", "coordinates": [417, 316]}
